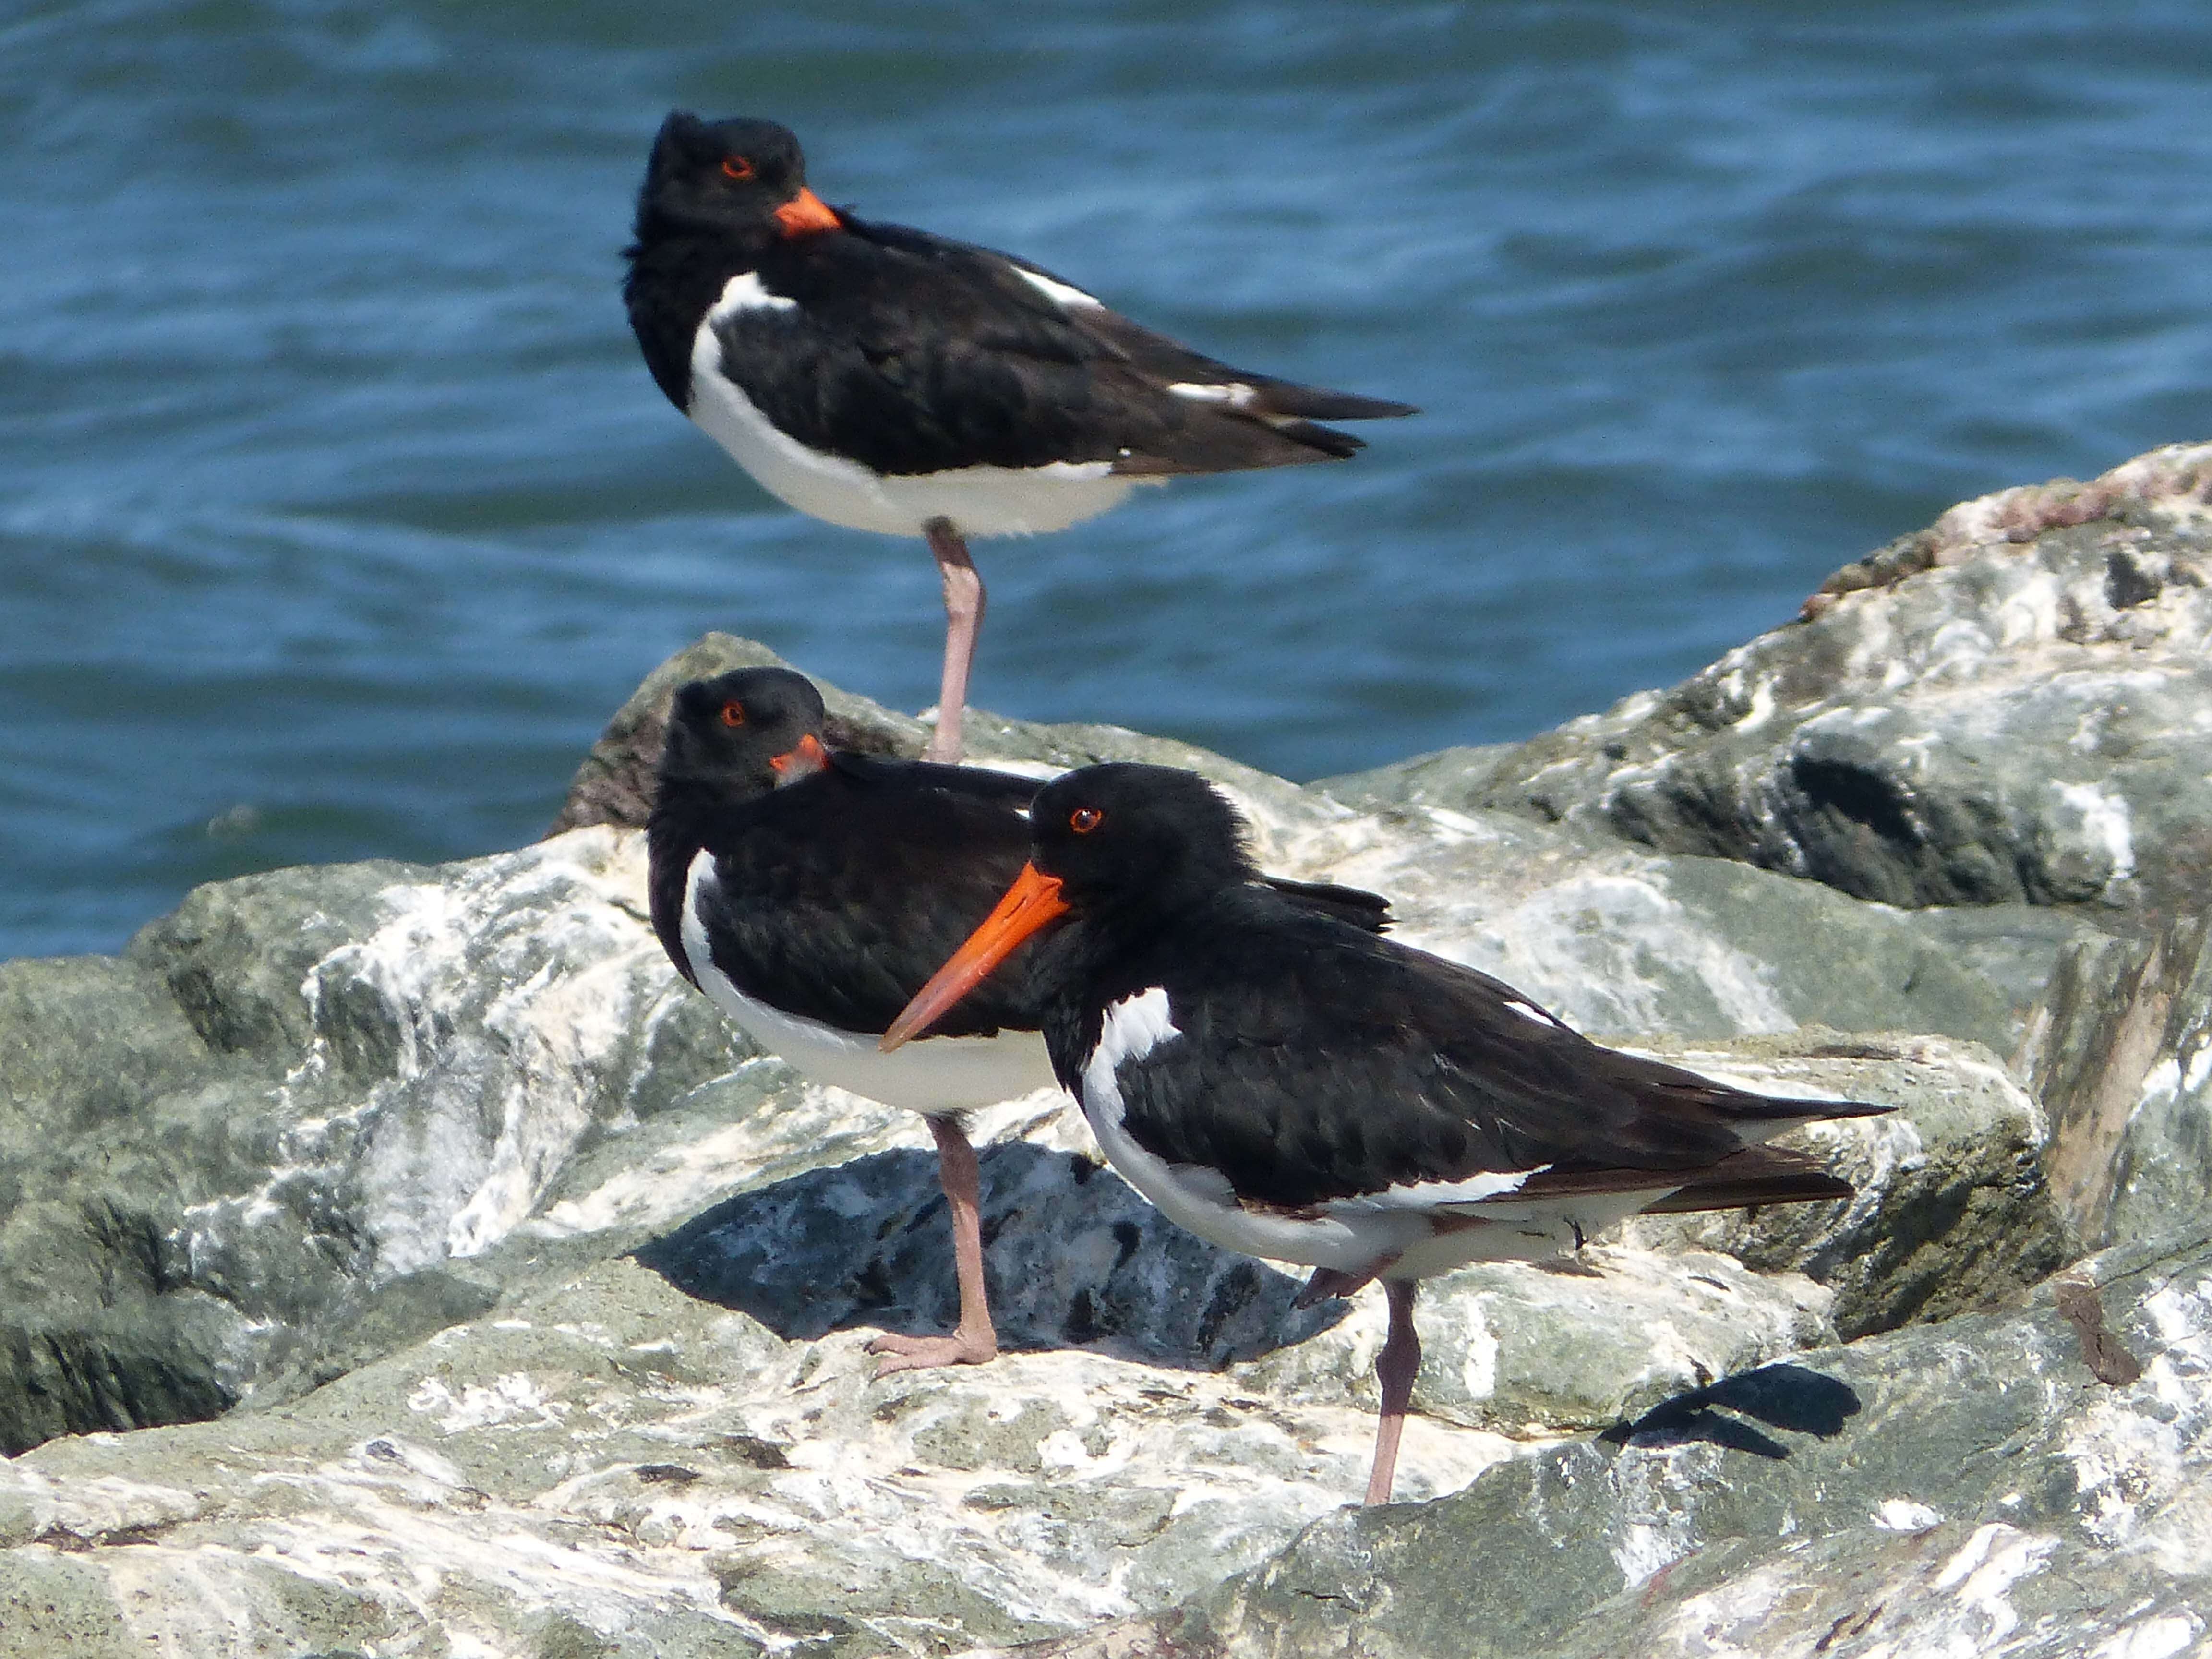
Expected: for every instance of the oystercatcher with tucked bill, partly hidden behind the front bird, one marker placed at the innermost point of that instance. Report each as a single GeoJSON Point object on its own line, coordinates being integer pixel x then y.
{"type": "Point", "coordinates": [811, 895]}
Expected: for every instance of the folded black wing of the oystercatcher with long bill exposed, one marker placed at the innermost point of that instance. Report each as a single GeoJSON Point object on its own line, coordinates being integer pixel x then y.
{"type": "Point", "coordinates": [1319, 1063]}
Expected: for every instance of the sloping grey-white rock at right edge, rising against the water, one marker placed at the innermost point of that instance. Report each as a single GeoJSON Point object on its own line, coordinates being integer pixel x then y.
{"type": "Point", "coordinates": [2005, 709]}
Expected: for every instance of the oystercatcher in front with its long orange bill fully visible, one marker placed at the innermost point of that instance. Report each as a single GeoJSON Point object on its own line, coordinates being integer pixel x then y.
{"type": "Point", "coordinates": [1300, 1089]}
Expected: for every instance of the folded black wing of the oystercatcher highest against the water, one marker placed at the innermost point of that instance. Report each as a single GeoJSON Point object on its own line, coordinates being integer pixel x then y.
{"type": "Point", "coordinates": [912, 355]}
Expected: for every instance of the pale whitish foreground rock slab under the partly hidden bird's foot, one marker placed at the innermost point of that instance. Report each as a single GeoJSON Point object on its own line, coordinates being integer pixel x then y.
{"type": "Point", "coordinates": [651, 1474]}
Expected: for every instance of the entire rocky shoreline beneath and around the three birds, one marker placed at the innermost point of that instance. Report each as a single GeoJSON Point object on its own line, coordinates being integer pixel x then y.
{"type": "Point", "coordinates": [404, 1262]}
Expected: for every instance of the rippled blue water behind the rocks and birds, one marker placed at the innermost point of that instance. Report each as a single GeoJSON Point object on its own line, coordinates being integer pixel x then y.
{"type": "Point", "coordinates": [337, 510]}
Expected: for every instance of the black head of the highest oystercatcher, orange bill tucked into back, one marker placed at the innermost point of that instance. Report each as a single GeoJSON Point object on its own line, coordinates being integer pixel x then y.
{"type": "Point", "coordinates": [738, 178]}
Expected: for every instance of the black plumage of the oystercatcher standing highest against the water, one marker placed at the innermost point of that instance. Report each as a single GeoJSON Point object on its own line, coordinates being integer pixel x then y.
{"type": "Point", "coordinates": [912, 355]}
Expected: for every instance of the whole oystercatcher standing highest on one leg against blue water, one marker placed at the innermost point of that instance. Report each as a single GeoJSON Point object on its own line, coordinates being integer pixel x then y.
{"type": "Point", "coordinates": [897, 382]}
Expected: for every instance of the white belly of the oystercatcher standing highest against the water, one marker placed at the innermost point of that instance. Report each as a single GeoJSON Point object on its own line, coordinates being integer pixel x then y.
{"type": "Point", "coordinates": [979, 501]}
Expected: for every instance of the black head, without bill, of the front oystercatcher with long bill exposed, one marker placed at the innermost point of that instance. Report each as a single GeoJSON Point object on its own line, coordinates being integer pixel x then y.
{"type": "Point", "coordinates": [1138, 837]}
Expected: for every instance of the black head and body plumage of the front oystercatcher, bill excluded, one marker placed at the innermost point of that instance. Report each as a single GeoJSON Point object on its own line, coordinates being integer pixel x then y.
{"type": "Point", "coordinates": [1324, 1063]}
